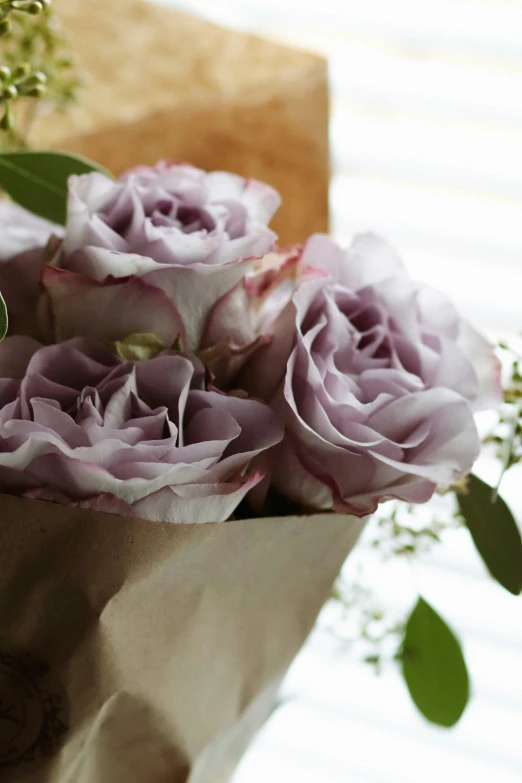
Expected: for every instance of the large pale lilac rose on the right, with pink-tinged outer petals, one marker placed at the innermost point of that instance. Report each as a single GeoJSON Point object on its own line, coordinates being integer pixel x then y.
{"type": "Point", "coordinates": [373, 376]}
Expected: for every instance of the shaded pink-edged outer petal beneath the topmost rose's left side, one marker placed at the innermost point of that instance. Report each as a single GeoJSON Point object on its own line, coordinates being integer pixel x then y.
{"type": "Point", "coordinates": [111, 310]}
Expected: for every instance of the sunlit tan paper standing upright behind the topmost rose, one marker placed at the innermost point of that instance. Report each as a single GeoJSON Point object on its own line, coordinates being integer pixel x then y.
{"type": "Point", "coordinates": [165, 84]}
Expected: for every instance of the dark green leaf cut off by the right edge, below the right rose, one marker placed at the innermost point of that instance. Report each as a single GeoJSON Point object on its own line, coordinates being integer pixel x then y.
{"type": "Point", "coordinates": [494, 532]}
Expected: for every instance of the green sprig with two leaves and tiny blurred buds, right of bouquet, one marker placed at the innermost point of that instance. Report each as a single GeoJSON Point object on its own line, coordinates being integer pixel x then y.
{"type": "Point", "coordinates": [423, 640]}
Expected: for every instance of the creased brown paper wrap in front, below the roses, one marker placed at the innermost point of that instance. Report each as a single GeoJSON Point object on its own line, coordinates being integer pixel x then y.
{"type": "Point", "coordinates": [136, 652]}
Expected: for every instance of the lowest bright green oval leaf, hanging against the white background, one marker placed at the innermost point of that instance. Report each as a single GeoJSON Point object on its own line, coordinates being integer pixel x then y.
{"type": "Point", "coordinates": [433, 667]}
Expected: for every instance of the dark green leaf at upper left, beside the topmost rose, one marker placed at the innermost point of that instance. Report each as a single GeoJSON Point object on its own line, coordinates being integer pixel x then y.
{"type": "Point", "coordinates": [38, 180]}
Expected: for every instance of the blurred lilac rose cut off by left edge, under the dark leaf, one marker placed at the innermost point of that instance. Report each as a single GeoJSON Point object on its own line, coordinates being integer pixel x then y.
{"type": "Point", "coordinates": [23, 237]}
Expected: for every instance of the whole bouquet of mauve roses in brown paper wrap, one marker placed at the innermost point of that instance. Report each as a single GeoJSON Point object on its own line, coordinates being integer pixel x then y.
{"type": "Point", "coordinates": [195, 424]}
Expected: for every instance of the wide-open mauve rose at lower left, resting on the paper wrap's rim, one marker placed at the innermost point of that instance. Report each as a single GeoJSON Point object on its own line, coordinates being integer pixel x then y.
{"type": "Point", "coordinates": [142, 439]}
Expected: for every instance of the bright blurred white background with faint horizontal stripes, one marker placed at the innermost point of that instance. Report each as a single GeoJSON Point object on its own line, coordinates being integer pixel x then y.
{"type": "Point", "coordinates": [426, 135]}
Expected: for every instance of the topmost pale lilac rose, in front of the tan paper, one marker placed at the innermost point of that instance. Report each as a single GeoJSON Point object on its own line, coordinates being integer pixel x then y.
{"type": "Point", "coordinates": [181, 230]}
